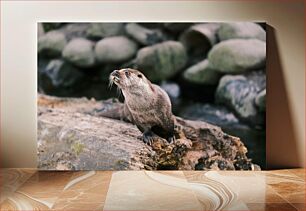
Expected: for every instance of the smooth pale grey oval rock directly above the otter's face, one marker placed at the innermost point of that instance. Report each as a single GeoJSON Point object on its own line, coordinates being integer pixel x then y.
{"type": "Point", "coordinates": [115, 49]}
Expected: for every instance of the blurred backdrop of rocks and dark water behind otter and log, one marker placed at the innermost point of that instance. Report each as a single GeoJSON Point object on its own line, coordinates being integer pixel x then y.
{"type": "Point", "coordinates": [213, 72]}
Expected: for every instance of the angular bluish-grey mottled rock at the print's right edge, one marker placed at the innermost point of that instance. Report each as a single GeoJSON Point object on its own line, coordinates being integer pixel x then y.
{"type": "Point", "coordinates": [239, 93]}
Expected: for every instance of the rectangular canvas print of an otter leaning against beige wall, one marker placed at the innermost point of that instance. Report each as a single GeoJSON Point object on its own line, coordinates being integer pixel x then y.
{"type": "Point", "coordinates": [151, 96]}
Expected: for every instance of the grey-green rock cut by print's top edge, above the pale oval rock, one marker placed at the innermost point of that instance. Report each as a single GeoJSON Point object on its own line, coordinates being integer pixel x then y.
{"type": "Point", "coordinates": [101, 30]}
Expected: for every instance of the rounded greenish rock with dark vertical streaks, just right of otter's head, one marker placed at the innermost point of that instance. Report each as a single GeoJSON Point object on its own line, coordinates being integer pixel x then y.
{"type": "Point", "coordinates": [161, 61]}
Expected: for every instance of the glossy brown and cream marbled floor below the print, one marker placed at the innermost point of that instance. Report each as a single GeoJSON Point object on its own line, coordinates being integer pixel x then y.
{"type": "Point", "coordinates": [28, 189]}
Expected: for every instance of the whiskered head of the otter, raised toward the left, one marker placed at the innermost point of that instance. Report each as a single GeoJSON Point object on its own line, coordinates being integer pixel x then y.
{"type": "Point", "coordinates": [130, 80]}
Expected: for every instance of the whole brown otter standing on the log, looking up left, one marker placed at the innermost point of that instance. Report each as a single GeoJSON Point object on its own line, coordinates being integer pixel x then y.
{"type": "Point", "coordinates": [145, 104]}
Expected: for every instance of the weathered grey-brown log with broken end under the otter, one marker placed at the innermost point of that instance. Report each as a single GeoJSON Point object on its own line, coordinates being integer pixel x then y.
{"type": "Point", "coordinates": [82, 134]}
